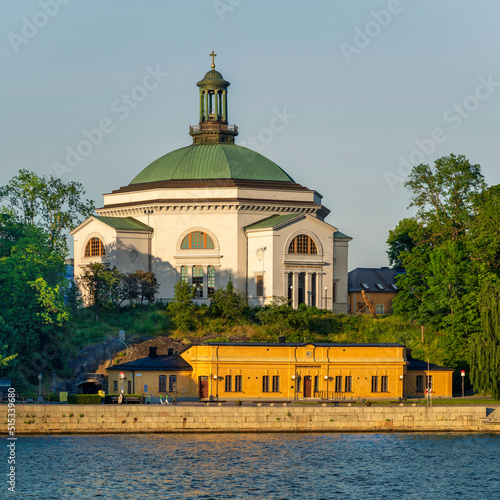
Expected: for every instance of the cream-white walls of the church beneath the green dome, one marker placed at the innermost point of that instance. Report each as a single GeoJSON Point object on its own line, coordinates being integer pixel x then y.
{"type": "Point", "coordinates": [241, 252]}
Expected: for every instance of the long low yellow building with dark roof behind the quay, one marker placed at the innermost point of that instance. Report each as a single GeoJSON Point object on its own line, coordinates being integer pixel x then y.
{"type": "Point", "coordinates": [281, 372]}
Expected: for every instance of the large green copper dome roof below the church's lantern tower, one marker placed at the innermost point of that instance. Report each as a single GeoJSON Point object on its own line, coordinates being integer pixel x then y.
{"type": "Point", "coordinates": [212, 161]}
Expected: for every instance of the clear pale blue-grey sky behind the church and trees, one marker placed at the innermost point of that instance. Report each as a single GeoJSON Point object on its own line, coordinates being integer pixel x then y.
{"type": "Point", "coordinates": [363, 89]}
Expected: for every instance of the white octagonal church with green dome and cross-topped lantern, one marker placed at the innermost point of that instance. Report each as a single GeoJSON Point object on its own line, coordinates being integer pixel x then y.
{"type": "Point", "coordinates": [214, 211]}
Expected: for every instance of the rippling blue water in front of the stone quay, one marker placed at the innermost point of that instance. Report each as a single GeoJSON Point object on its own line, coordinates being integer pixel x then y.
{"type": "Point", "coordinates": [258, 466]}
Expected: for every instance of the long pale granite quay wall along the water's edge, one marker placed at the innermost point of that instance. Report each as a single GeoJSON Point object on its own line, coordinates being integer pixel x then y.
{"type": "Point", "coordinates": [69, 419]}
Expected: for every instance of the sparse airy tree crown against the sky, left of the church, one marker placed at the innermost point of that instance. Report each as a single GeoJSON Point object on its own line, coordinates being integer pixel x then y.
{"type": "Point", "coordinates": [48, 203]}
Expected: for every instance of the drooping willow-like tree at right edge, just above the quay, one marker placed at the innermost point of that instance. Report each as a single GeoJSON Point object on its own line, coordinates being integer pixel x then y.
{"type": "Point", "coordinates": [485, 348]}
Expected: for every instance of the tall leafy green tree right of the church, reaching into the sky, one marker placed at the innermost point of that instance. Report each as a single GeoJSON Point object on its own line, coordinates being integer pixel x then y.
{"type": "Point", "coordinates": [444, 249]}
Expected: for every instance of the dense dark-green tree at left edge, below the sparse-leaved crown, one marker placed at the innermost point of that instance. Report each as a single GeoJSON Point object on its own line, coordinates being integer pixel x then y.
{"type": "Point", "coordinates": [32, 305]}
